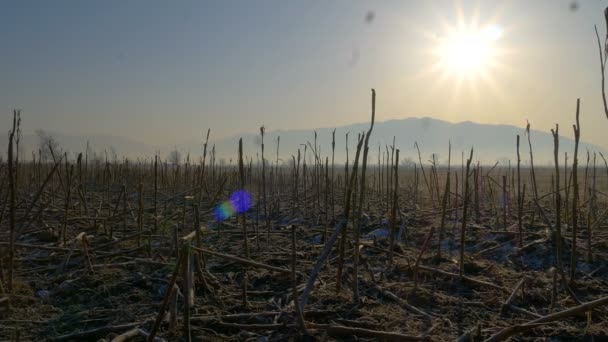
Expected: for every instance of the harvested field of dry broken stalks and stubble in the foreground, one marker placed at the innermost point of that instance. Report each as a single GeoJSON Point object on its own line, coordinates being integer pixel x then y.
{"type": "Point", "coordinates": [145, 250]}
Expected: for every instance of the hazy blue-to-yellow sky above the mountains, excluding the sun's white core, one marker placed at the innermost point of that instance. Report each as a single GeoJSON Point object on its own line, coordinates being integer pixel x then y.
{"type": "Point", "coordinates": [164, 71]}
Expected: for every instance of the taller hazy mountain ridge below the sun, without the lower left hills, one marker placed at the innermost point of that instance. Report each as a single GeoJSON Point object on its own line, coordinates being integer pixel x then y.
{"type": "Point", "coordinates": [491, 142]}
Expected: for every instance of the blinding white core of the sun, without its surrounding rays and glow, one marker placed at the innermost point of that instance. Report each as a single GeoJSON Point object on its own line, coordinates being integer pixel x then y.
{"type": "Point", "coordinates": [468, 52]}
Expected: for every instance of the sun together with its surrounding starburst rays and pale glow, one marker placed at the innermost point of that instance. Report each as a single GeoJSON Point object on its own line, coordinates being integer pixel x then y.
{"type": "Point", "coordinates": [466, 55]}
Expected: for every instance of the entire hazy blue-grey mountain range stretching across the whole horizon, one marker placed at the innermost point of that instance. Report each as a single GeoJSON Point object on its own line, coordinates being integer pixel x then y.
{"type": "Point", "coordinates": [491, 142]}
